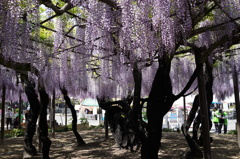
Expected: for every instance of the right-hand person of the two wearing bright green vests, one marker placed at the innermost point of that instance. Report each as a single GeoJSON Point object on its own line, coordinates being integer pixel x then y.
{"type": "Point", "coordinates": [223, 121]}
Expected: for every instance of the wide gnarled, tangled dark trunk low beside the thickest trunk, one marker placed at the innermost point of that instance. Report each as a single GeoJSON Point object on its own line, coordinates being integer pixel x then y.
{"type": "Point", "coordinates": [125, 130]}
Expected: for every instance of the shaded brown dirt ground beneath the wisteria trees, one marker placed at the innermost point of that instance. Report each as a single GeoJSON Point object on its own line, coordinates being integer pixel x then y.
{"type": "Point", "coordinates": [63, 146]}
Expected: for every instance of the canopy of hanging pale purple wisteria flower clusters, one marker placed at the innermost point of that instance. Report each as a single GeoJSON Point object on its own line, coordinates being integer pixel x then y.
{"type": "Point", "coordinates": [95, 54]}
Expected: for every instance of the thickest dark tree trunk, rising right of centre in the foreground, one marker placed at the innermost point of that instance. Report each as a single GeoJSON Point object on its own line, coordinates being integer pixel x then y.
{"type": "Point", "coordinates": [159, 103]}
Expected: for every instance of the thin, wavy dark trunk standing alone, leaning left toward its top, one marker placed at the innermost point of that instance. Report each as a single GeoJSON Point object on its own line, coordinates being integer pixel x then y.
{"type": "Point", "coordinates": [80, 141]}
